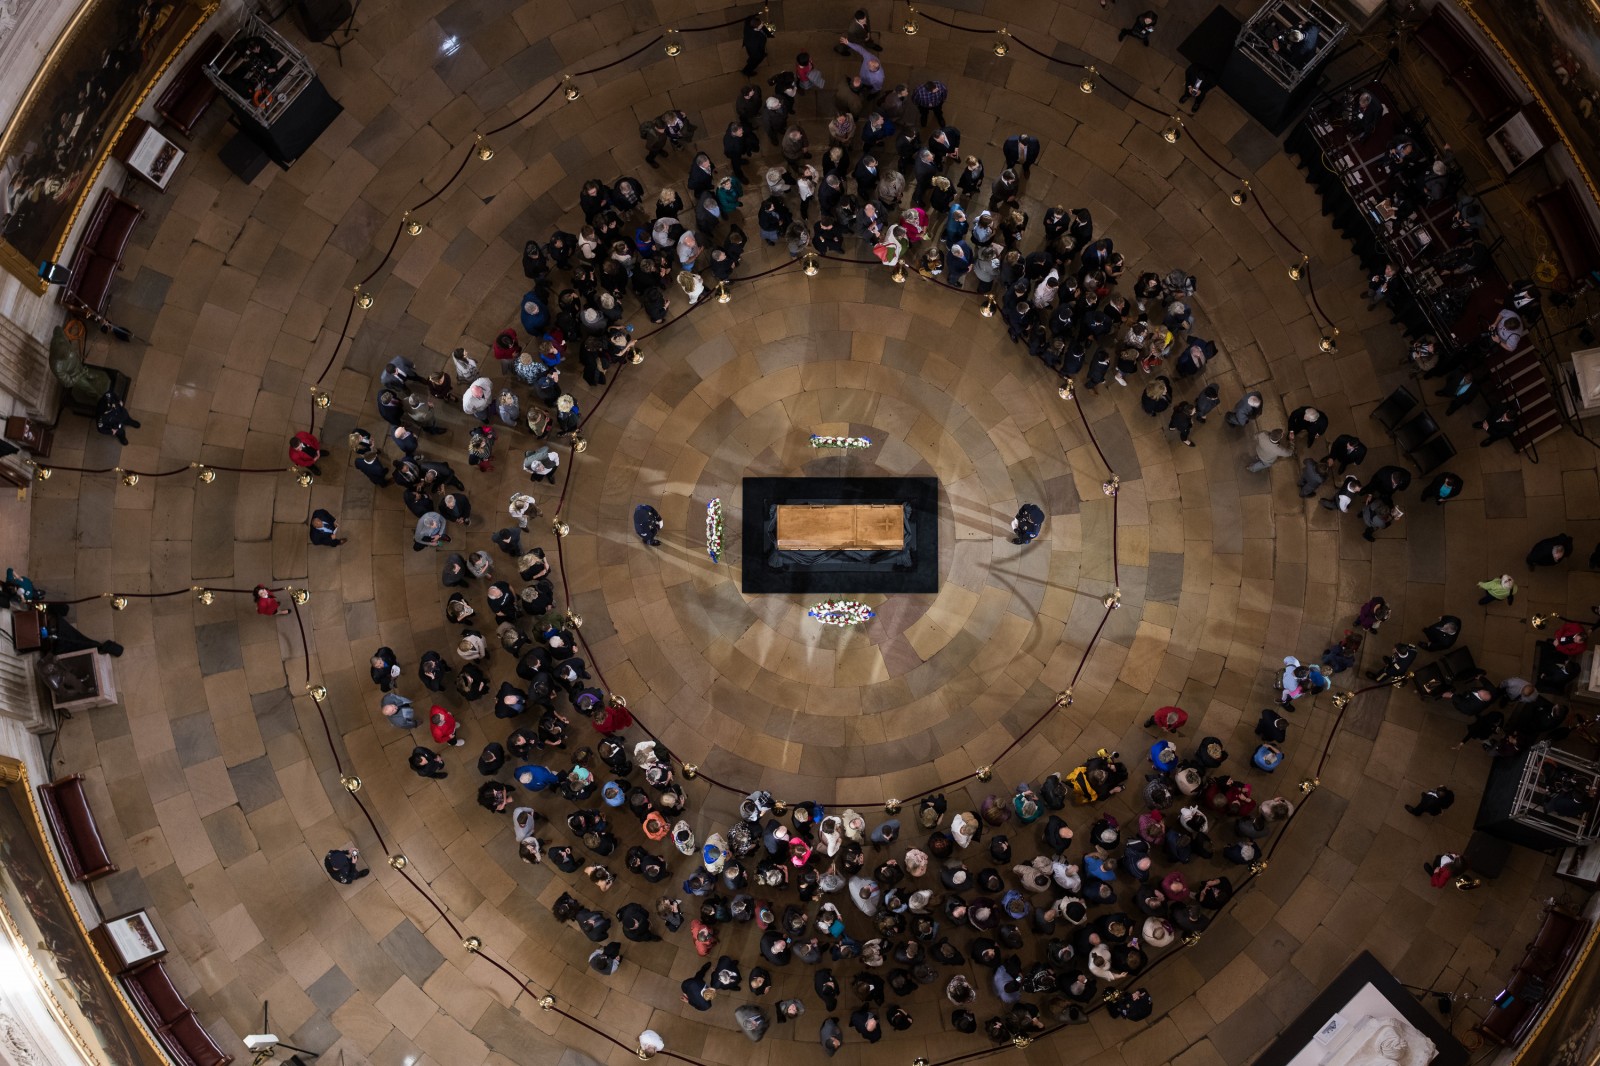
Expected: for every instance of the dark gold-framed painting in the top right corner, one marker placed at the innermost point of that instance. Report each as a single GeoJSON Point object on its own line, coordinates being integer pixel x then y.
{"type": "Point", "coordinates": [1554, 47]}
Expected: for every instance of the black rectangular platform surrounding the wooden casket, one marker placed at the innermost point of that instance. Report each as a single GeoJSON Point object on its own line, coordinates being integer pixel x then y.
{"type": "Point", "coordinates": [916, 569]}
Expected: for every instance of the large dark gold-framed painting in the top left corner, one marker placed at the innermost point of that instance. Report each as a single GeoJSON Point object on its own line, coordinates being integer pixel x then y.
{"type": "Point", "coordinates": [102, 68]}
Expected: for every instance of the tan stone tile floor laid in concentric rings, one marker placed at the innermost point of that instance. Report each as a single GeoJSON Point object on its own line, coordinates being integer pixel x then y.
{"type": "Point", "coordinates": [215, 780]}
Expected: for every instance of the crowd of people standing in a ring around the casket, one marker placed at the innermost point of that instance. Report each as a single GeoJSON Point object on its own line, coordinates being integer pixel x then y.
{"type": "Point", "coordinates": [1020, 918]}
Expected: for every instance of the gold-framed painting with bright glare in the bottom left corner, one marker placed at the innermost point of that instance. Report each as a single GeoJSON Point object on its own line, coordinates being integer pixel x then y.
{"type": "Point", "coordinates": [44, 929]}
